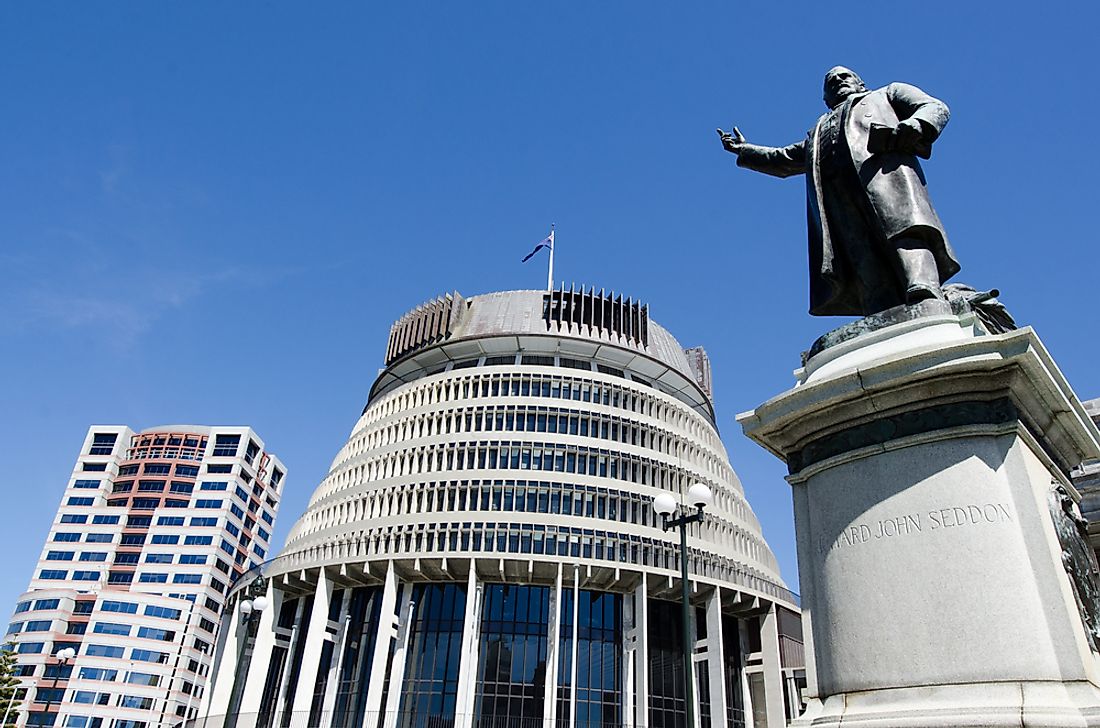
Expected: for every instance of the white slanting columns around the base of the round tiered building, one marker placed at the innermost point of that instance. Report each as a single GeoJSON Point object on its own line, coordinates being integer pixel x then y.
{"type": "Point", "coordinates": [296, 702]}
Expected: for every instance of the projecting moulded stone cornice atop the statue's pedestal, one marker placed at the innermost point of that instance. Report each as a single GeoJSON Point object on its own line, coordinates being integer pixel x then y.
{"type": "Point", "coordinates": [978, 380]}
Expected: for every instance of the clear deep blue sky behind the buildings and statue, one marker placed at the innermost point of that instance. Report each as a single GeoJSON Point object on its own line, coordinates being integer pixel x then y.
{"type": "Point", "coordinates": [212, 213]}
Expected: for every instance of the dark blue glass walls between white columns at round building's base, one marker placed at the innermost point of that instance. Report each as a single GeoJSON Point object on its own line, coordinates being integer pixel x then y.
{"type": "Point", "coordinates": [515, 647]}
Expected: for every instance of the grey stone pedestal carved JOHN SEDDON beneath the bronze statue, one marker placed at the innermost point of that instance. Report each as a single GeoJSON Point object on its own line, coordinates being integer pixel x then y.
{"type": "Point", "coordinates": [922, 454]}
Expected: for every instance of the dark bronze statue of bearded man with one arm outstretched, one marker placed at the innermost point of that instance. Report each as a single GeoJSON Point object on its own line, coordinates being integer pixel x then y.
{"type": "Point", "coordinates": [875, 240]}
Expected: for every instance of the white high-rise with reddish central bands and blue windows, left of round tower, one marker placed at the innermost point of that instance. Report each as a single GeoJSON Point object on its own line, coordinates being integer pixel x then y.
{"type": "Point", "coordinates": [151, 533]}
